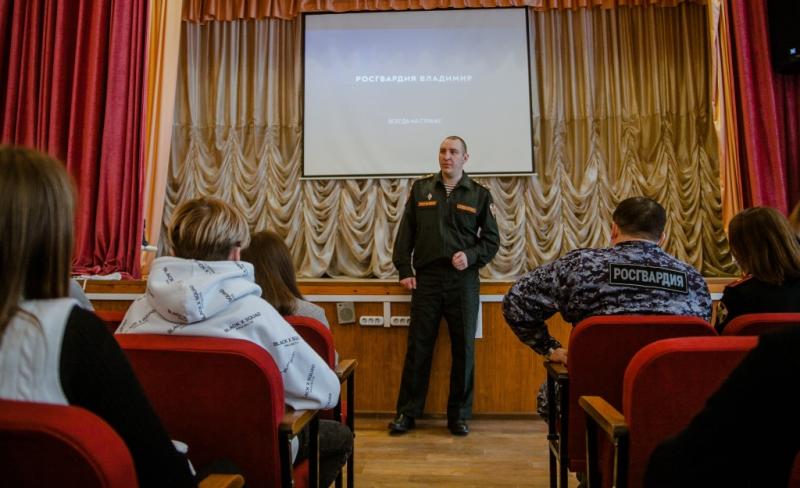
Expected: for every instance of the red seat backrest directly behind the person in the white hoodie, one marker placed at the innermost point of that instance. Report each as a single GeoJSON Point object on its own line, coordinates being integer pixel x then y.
{"type": "Point", "coordinates": [222, 397]}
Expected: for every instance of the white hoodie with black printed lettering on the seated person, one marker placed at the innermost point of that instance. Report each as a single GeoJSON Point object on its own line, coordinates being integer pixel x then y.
{"type": "Point", "coordinates": [221, 299]}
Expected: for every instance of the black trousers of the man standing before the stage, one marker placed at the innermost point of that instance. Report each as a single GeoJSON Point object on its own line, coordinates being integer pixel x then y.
{"type": "Point", "coordinates": [442, 291]}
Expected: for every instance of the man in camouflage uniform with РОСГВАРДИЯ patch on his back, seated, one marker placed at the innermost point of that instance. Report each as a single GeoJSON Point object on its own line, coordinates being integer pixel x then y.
{"type": "Point", "coordinates": [634, 276]}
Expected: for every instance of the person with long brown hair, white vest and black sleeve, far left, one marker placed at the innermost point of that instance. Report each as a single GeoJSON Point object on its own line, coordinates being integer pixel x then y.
{"type": "Point", "coordinates": [70, 358]}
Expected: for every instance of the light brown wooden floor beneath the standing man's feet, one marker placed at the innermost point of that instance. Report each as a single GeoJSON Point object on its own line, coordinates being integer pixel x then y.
{"type": "Point", "coordinates": [496, 453]}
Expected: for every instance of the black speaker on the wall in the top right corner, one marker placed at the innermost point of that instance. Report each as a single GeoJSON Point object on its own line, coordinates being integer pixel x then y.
{"type": "Point", "coordinates": [784, 34]}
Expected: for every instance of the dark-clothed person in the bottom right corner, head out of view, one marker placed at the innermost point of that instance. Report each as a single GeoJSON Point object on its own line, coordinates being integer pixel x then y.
{"type": "Point", "coordinates": [748, 434]}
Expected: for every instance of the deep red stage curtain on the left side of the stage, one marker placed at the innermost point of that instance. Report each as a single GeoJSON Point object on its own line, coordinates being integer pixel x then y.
{"type": "Point", "coordinates": [71, 84]}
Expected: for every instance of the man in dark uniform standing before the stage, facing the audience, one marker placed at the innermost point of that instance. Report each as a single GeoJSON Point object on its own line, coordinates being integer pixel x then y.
{"type": "Point", "coordinates": [449, 227]}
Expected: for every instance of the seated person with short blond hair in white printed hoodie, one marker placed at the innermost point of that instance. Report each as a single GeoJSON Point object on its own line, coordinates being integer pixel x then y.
{"type": "Point", "coordinates": [204, 290]}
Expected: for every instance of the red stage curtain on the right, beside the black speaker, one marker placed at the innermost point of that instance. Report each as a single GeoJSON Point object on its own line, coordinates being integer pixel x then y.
{"type": "Point", "coordinates": [769, 113]}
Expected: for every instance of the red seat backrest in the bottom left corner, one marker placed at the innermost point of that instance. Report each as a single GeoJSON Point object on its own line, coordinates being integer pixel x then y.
{"type": "Point", "coordinates": [59, 445]}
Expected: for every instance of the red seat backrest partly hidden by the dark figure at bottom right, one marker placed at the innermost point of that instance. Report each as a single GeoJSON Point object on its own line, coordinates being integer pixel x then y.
{"type": "Point", "coordinates": [667, 383]}
